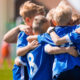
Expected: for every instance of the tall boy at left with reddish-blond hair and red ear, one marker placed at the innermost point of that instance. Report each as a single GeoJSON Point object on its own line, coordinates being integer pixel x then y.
{"type": "Point", "coordinates": [28, 10]}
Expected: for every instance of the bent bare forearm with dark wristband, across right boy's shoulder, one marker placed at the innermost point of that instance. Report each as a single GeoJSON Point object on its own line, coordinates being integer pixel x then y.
{"type": "Point", "coordinates": [57, 40]}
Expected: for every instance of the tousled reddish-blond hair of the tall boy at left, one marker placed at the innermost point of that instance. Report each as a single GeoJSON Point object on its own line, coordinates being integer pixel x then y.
{"type": "Point", "coordinates": [29, 9]}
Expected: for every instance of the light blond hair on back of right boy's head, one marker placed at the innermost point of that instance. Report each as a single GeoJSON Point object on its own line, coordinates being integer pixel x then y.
{"type": "Point", "coordinates": [63, 14]}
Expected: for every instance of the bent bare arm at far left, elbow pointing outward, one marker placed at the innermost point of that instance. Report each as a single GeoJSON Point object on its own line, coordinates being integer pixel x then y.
{"type": "Point", "coordinates": [11, 36]}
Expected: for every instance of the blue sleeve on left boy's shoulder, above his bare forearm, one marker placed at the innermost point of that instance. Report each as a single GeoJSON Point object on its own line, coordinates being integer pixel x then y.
{"type": "Point", "coordinates": [21, 42]}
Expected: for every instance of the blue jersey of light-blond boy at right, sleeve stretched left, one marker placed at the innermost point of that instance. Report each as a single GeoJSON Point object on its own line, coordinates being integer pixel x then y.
{"type": "Point", "coordinates": [62, 62]}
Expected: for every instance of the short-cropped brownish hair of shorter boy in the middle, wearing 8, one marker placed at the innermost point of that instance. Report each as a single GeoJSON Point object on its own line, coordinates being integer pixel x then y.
{"type": "Point", "coordinates": [38, 24]}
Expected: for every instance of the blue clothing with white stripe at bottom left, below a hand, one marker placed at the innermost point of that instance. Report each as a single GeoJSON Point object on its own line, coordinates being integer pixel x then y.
{"type": "Point", "coordinates": [20, 72]}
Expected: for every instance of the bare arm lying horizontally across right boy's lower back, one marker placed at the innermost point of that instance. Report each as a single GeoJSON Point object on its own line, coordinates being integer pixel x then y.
{"type": "Point", "coordinates": [60, 50]}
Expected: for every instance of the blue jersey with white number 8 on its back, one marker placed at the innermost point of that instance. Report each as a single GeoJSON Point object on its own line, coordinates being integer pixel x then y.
{"type": "Point", "coordinates": [39, 63]}
